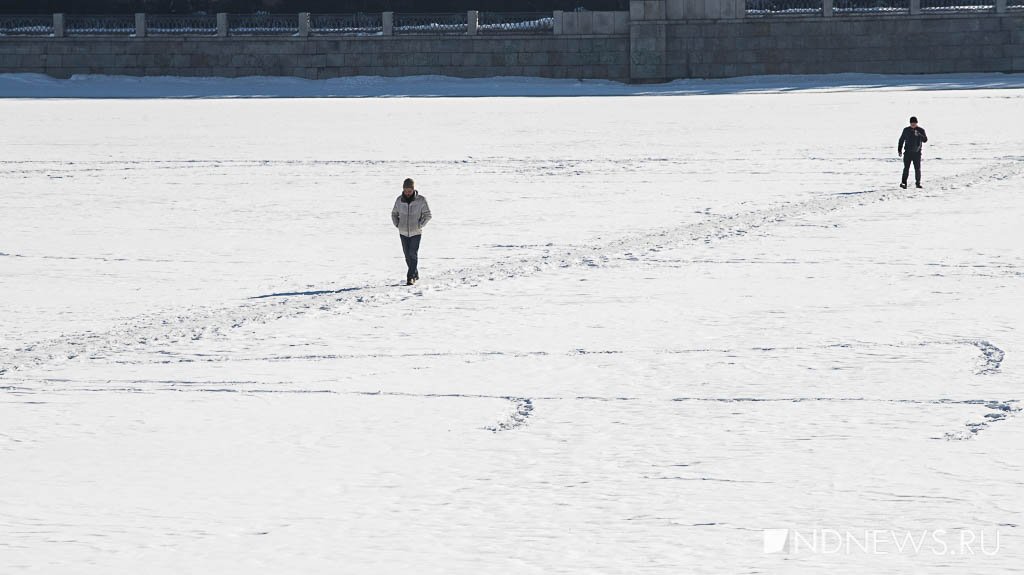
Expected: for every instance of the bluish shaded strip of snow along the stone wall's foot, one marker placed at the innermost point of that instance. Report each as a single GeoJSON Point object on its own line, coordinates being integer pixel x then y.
{"type": "Point", "coordinates": [90, 86]}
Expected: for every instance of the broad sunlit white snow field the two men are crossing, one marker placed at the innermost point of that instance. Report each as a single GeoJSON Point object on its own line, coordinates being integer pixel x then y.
{"type": "Point", "coordinates": [650, 329]}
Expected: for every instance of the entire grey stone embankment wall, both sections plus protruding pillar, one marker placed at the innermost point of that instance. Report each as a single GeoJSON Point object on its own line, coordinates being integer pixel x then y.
{"type": "Point", "coordinates": [645, 46]}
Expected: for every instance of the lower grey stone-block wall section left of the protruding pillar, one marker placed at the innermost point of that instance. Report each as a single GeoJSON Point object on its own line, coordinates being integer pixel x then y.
{"type": "Point", "coordinates": [605, 57]}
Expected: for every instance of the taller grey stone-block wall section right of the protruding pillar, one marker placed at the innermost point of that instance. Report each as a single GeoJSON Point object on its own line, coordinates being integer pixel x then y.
{"type": "Point", "coordinates": [899, 45]}
